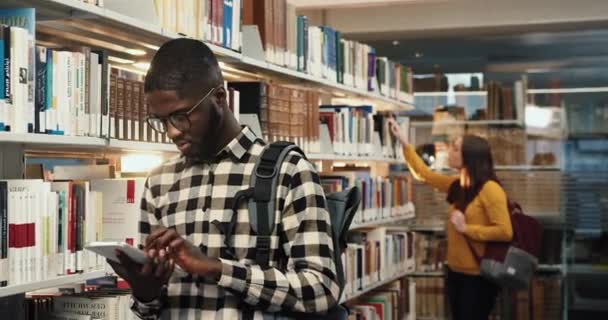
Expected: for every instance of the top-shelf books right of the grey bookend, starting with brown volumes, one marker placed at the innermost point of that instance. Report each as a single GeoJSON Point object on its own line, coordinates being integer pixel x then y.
{"type": "Point", "coordinates": [289, 40]}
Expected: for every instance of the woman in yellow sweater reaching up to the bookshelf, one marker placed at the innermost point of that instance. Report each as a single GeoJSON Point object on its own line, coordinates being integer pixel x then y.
{"type": "Point", "coordinates": [477, 212]}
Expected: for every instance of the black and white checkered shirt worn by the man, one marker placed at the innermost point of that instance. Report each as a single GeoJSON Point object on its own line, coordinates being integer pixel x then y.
{"type": "Point", "coordinates": [196, 199]}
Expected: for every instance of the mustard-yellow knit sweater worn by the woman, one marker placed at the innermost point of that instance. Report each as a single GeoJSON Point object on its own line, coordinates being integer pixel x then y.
{"type": "Point", "coordinates": [487, 216]}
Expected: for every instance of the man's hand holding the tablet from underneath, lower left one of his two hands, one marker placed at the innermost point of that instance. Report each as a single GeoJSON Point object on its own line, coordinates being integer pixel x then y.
{"type": "Point", "coordinates": [145, 280]}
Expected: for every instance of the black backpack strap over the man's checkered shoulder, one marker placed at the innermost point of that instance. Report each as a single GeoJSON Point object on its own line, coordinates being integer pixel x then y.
{"type": "Point", "coordinates": [264, 182]}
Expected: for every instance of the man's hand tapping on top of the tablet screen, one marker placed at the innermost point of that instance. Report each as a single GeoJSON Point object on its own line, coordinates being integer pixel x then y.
{"type": "Point", "coordinates": [164, 243]}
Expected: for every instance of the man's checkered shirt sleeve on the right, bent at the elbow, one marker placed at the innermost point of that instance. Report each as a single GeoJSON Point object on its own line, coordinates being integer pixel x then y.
{"type": "Point", "coordinates": [309, 281]}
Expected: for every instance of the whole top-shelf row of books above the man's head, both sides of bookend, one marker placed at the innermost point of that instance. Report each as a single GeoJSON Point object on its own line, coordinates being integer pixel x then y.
{"type": "Point", "coordinates": [288, 40]}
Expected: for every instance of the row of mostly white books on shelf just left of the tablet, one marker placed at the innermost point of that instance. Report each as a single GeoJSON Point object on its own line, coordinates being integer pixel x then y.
{"type": "Point", "coordinates": [45, 225]}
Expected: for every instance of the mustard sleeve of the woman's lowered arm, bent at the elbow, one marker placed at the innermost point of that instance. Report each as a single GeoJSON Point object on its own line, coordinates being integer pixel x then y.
{"type": "Point", "coordinates": [494, 201]}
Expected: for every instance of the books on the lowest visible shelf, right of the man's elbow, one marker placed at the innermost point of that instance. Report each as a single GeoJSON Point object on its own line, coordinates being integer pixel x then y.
{"type": "Point", "coordinates": [392, 302]}
